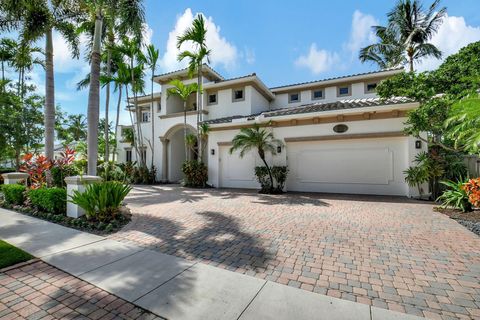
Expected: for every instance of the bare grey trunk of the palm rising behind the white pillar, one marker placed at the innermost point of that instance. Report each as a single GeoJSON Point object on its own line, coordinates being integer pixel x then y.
{"type": "Point", "coordinates": [94, 97]}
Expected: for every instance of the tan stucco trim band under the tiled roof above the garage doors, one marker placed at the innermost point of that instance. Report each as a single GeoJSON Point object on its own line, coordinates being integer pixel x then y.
{"type": "Point", "coordinates": [322, 120]}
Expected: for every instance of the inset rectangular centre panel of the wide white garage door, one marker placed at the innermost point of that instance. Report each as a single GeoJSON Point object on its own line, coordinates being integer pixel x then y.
{"type": "Point", "coordinates": [367, 165]}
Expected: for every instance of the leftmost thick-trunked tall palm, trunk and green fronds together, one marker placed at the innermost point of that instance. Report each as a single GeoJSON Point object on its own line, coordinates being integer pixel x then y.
{"type": "Point", "coordinates": [35, 19]}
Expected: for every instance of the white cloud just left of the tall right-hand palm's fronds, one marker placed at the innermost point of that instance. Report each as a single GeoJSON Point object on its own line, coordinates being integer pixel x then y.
{"type": "Point", "coordinates": [361, 33]}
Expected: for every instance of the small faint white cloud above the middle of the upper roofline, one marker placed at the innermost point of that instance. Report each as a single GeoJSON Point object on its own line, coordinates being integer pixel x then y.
{"type": "Point", "coordinates": [318, 61]}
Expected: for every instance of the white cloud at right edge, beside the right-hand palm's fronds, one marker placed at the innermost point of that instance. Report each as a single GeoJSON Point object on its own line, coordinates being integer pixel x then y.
{"type": "Point", "coordinates": [453, 34]}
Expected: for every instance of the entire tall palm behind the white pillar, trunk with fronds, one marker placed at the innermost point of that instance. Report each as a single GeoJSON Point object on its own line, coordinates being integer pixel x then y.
{"type": "Point", "coordinates": [131, 18]}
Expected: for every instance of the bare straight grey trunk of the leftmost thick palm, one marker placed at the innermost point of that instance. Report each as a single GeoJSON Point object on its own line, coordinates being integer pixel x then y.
{"type": "Point", "coordinates": [49, 117]}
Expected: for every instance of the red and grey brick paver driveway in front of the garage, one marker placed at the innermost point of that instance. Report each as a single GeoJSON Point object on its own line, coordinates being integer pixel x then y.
{"type": "Point", "coordinates": [389, 252]}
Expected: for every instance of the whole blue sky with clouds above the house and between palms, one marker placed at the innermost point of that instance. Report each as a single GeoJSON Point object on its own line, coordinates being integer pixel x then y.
{"type": "Point", "coordinates": [283, 42]}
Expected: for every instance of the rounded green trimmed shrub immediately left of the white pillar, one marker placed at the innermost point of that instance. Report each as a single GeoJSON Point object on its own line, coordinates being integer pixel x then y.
{"type": "Point", "coordinates": [51, 200]}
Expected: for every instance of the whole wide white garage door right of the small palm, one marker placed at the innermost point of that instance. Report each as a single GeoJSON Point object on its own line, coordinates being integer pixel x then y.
{"type": "Point", "coordinates": [358, 166]}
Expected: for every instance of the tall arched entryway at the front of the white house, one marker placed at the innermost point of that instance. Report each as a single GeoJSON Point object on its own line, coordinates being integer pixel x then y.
{"type": "Point", "coordinates": [173, 143]}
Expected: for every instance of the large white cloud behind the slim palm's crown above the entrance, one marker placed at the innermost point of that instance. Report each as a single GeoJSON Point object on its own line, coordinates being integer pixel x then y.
{"type": "Point", "coordinates": [223, 52]}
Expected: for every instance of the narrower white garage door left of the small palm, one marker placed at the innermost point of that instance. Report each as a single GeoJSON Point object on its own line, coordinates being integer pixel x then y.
{"type": "Point", "coordinates": [236, 172]}
